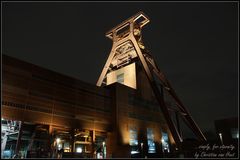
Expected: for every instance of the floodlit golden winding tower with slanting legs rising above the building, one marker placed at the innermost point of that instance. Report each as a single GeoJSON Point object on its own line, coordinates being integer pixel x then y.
{"type": "Point", "coordinates": [127, 50]}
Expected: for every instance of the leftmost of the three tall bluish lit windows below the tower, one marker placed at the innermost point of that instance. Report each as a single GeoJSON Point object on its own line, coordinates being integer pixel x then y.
{"type": "Point", "coordinates": [133, 140]}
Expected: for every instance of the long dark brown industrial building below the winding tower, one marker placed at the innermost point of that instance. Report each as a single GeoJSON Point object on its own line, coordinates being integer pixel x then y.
{"type": "Point", "coordinates": [44, 112]}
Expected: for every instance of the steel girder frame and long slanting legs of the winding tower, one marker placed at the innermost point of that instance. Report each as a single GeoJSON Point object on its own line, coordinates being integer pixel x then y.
{"type": "Point", "coordinates": [151, 69]}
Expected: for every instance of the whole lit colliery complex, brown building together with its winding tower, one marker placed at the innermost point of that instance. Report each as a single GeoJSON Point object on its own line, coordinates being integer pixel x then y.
{"type": "Point", "coordinates": [126, 114]}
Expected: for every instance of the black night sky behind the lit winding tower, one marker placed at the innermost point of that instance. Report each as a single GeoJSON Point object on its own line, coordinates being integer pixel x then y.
{"type": "Point", "coordinates": [194, 44]}
